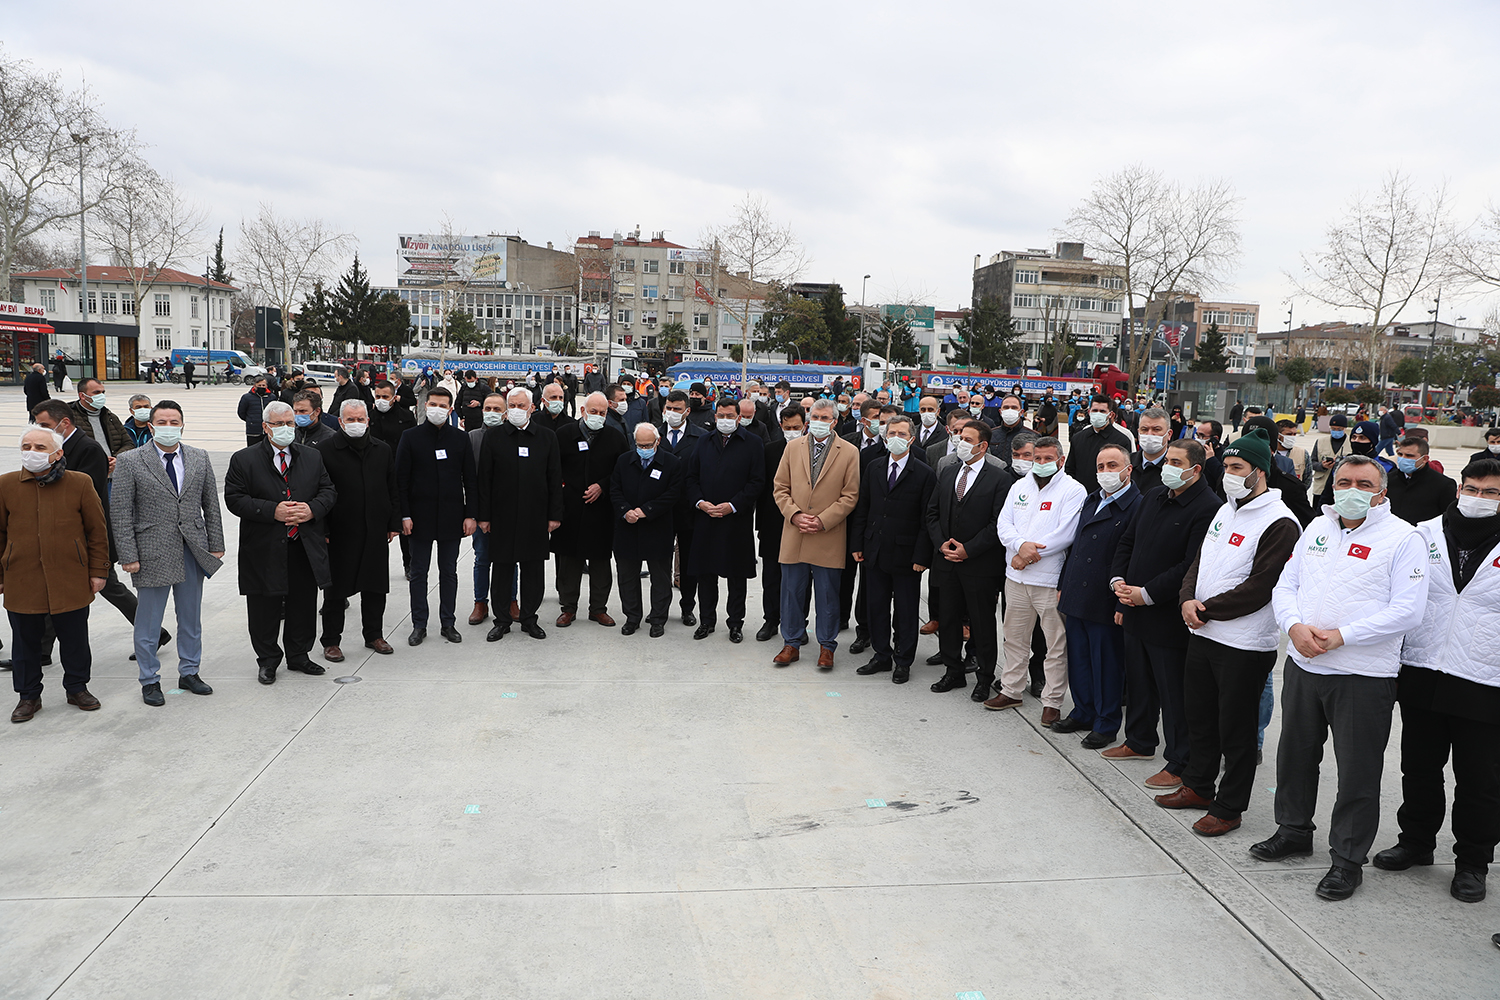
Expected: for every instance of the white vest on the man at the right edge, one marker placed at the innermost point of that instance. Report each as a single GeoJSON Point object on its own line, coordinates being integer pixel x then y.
{"type": "Point", "coordinates": [1460, 633]}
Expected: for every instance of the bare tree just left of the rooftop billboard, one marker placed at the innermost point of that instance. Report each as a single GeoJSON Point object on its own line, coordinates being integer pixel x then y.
{"type": "Point", "coordinates": [284, 257]}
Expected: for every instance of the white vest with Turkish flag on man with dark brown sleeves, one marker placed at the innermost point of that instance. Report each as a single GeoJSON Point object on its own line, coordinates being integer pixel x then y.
{"type": "Point", "coordinates": [1225, 561]}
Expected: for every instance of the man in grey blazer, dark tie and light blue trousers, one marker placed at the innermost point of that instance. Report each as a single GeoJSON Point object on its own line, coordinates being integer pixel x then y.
{"type": "Point", "coordinates": [170, 537]}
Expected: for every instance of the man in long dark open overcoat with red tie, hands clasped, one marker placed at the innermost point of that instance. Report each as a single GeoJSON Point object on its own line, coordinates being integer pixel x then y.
{"type": "Point", "coordinates": [281, 494]}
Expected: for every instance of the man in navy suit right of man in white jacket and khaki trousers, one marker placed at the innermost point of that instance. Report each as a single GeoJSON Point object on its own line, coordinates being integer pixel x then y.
{"type": "Point", "coordinates": [1091, 611]}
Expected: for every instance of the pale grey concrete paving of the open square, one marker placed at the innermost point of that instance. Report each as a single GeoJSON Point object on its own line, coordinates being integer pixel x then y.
{"type": "Point", "coordinates": [616, 816]}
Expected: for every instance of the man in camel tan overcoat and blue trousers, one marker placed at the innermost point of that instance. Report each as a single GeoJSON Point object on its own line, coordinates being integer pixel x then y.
{"type": "Point", "coordinates": [817, 490]}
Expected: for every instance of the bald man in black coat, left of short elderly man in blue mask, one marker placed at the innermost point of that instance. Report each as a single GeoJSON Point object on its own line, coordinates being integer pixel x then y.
{"type": "Point", "coordinates": [589, 451]}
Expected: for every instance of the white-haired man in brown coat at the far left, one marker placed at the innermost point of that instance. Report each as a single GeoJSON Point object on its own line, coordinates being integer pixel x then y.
{"type": "Point", "coordinates": [56, 548]}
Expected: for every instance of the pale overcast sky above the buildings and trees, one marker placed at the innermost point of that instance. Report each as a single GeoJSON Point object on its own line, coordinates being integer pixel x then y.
{"type": "Point", "coordinates": [899, 140]}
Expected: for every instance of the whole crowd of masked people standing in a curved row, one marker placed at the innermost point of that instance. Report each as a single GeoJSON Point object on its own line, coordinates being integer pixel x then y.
{"type": "Point", "coordinates": [1147, 566]}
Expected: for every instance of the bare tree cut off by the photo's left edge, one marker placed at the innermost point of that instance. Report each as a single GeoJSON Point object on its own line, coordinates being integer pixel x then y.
{"type": "Point", "coordinates": [44, 131]}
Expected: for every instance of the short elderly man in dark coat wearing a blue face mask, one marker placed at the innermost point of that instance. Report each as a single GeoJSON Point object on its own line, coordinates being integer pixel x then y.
{"type": "Point", "coordinates": [643, 494]}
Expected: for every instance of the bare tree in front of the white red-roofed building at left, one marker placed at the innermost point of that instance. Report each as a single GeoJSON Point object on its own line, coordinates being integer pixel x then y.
{"type": "Point", "coordinates": [148, 227]}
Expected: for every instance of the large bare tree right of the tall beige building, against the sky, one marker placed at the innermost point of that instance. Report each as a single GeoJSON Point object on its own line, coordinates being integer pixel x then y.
{"type": "Point", "coordinates": [1162, 239]}
